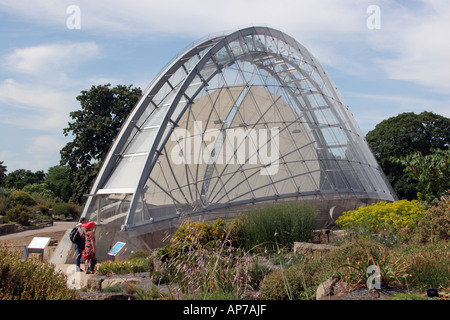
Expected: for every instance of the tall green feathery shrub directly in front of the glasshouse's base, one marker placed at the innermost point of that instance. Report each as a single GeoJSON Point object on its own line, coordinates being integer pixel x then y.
{"type": "Point", "coordinates": [290, 222]}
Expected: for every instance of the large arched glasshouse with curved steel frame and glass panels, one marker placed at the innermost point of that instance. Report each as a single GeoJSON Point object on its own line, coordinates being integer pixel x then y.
{"type": "Point", "coordinates": [254, 78]}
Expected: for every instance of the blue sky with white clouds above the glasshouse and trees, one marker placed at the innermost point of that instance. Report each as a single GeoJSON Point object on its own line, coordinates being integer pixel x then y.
{"type": "Point", "coordinates": [385, 56]}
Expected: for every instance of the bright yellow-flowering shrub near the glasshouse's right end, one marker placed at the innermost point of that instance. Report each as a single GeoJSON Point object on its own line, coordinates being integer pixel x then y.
{"type": "Point", "coordinates": [383, 218]}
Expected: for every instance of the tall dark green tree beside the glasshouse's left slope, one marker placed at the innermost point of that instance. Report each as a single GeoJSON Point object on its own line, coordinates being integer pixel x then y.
{"type": "Point", "coordinates": [94, 127]}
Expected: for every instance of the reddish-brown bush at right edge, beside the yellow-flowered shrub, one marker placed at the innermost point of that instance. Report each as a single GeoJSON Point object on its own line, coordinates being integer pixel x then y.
{"type": "Point", "coordinates": [435, 224]}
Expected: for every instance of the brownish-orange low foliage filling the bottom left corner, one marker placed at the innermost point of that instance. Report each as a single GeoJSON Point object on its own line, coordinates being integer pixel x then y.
{"type": "Point", "coordinates": [31, 279]}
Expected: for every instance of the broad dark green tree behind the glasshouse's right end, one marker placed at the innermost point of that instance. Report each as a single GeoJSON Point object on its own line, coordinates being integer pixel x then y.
{"type": "Point", "coordinates": [403, 135]}
